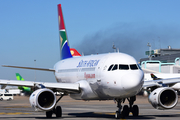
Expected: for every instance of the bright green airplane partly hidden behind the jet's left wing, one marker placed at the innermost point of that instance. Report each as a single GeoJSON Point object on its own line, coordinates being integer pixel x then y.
{"type": "Point", "coordinates": [23, 88]}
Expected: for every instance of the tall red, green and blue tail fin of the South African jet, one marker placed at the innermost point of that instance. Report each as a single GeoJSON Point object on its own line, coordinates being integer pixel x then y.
{"type": "Point", "coordinates": [65, 50]}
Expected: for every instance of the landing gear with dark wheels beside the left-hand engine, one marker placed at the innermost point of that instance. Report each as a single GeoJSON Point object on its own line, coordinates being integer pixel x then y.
{"type": "Point", "coordinates": [57, 110]}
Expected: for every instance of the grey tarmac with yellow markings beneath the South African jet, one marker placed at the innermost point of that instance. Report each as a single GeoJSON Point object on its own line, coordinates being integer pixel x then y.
{"type": "Point", "coordinates": [20, 109]}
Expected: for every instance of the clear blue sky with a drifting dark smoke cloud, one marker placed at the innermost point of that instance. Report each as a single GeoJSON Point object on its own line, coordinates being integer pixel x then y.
{"type": "Point", "coordinates": [29, 30]}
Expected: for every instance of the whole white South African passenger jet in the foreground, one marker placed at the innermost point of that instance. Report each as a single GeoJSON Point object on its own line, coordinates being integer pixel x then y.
{"type": "Point", "coordinates": [112, 76]}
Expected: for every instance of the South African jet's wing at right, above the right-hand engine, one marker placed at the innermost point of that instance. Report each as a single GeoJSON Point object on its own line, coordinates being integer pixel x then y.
{"type": "Point", "coordinates": [161, 82]}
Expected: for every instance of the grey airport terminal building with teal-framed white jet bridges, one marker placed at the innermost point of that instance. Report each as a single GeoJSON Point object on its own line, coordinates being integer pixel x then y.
{"type": "Point", "coordinates": [162, 60]}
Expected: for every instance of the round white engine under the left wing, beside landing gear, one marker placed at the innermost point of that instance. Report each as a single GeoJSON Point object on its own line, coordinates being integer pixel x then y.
{"type": "Point", "coordinates": [43, 99]}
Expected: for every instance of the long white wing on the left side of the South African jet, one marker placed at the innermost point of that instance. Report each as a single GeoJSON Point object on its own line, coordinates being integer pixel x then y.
{"type": "Point", "coordinates": [61, 87]}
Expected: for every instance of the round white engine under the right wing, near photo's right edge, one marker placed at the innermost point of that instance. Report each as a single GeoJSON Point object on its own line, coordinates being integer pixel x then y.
{"type": "Point", "coordinates": [163, 98]}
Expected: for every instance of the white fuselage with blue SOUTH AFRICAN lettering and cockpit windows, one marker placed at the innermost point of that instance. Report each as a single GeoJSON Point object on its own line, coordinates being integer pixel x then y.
{"type": "Point", "coordinates": [101, 77]}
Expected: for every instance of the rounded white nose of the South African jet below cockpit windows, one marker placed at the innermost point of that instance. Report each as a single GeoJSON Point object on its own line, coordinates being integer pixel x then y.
{"type": "Point", "coordinates": [132, 82]}
